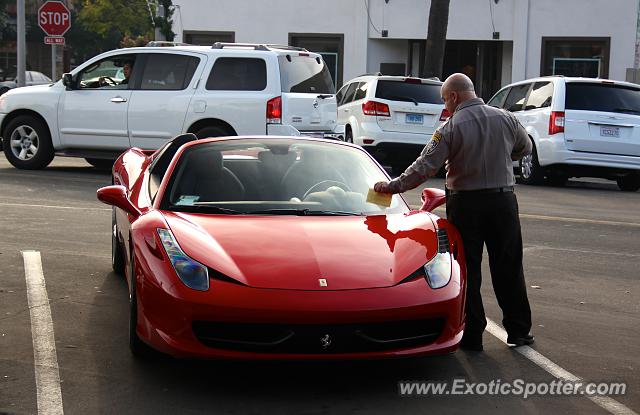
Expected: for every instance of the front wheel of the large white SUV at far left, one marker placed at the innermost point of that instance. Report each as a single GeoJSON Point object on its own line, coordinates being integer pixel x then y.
{"type": "Point", "coordinates": [28, 133]}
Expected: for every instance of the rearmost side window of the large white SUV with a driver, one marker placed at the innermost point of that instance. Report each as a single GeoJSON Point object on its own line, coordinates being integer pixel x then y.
{"type": "Point", "coordinates": [238, 74]}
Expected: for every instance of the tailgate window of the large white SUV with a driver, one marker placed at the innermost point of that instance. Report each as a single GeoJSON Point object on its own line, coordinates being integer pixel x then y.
{"type": "Point", "coordinates": [305, 74]}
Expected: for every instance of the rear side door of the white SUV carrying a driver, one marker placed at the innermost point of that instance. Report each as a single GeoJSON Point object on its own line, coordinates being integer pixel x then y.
{"type": "Point", "coordinates": [161, 96]}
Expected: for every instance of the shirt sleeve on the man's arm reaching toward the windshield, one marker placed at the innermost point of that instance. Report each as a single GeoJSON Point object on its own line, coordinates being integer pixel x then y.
{"type": "Point", "coordinates": [427, 164]}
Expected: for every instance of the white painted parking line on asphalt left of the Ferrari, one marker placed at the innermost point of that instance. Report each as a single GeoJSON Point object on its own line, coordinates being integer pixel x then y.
{"type": "Point", "coordinates": [44, 345]}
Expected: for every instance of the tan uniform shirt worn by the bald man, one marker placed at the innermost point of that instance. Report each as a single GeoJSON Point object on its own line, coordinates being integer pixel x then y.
{"type": "Point", "coordinates": [478, 142]}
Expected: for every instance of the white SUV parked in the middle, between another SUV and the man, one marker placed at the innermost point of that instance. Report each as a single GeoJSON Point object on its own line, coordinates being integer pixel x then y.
{"type": "Point", "coordinates": [392, 117]}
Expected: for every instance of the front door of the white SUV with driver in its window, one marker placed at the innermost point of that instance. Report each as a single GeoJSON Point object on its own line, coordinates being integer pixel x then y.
{"type": "Point", "coordinates": [93, 114]}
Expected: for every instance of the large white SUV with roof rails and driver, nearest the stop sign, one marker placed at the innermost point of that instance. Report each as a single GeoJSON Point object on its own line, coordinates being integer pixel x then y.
{"type": "Point", "coordinates": [227, 89]}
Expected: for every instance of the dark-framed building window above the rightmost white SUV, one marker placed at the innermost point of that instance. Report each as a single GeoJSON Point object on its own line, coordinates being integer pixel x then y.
{"type": "Point", "coordinates": [588, 57]}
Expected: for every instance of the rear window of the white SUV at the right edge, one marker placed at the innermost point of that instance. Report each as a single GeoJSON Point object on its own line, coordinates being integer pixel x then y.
{"type": "Point", "coordinates": [602, 97]}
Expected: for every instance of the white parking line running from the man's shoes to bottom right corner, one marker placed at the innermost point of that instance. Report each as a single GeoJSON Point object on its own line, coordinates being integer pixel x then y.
{"type": "Point", "coordinates": [608, 404]}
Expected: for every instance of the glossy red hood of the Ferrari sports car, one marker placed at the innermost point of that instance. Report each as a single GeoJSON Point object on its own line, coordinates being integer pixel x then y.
{"type": "Point", "coordinates": [295, 252]}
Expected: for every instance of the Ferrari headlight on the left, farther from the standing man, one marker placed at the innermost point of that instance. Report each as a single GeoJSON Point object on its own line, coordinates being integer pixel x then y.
{"type": "Point", "coordinates": [192, 273]}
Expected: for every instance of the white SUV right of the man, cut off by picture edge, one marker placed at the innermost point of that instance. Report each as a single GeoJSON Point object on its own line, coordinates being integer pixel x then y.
{"type": "Point", "coordinates": [579, 127]}
